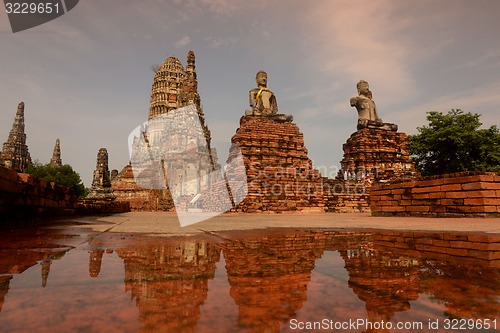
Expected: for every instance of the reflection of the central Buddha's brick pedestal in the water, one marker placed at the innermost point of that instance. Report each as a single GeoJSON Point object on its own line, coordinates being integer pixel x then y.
{"type": "Point", "coordinates": [269, 277]}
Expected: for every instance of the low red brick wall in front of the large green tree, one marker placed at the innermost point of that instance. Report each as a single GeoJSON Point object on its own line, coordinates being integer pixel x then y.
{"type": "Point", "coordinates": [452, 195]}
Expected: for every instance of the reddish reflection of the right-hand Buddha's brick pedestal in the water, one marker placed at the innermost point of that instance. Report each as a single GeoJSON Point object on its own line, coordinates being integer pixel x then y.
{"type": "Point", "coordinates": [385, 282]}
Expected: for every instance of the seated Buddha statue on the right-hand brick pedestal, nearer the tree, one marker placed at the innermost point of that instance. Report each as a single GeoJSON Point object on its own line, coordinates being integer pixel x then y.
{"type": "Point", "coordinates": [367, 110]}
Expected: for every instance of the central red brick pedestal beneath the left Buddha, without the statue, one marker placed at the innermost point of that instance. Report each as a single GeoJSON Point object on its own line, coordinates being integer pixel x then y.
{"type": "Point", "coordinates": [280, 175]}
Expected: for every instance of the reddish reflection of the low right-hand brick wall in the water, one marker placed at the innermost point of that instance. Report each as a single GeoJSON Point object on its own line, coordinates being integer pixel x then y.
{"type": "Point", "coordinates": [447, 263]}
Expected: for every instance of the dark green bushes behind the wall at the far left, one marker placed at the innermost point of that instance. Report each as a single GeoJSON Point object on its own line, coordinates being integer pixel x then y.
{"type": "Point", "coordinates": [64, 176]}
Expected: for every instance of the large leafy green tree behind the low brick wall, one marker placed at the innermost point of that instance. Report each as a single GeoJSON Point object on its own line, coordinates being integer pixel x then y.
{"type": "Point", "coordinates": [453, 142]}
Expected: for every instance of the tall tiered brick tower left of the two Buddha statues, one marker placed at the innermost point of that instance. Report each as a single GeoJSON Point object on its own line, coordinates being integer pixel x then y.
{"type": "Point", "coordinates": [173, 88]}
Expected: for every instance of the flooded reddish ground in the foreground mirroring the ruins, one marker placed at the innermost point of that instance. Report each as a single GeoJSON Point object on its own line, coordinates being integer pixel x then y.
{"type": "Point", "coordinates": [68, 278]}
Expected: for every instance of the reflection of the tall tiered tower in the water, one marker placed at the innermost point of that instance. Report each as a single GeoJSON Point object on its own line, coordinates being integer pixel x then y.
{"type": "Point", "coordinates": [169, 281]}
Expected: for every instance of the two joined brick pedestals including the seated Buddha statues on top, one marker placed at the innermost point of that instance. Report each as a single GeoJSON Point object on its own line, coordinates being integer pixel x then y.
{"type": "Point", "coordinates": [281, 176]}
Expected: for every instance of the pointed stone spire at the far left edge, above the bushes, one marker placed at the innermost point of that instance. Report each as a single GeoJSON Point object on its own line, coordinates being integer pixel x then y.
{"type": "Point", "coordinates": [15, 152]}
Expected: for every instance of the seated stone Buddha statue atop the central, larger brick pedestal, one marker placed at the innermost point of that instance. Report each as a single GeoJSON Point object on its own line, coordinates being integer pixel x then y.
{"type": "Point", "coordinates": [263, 101]}
